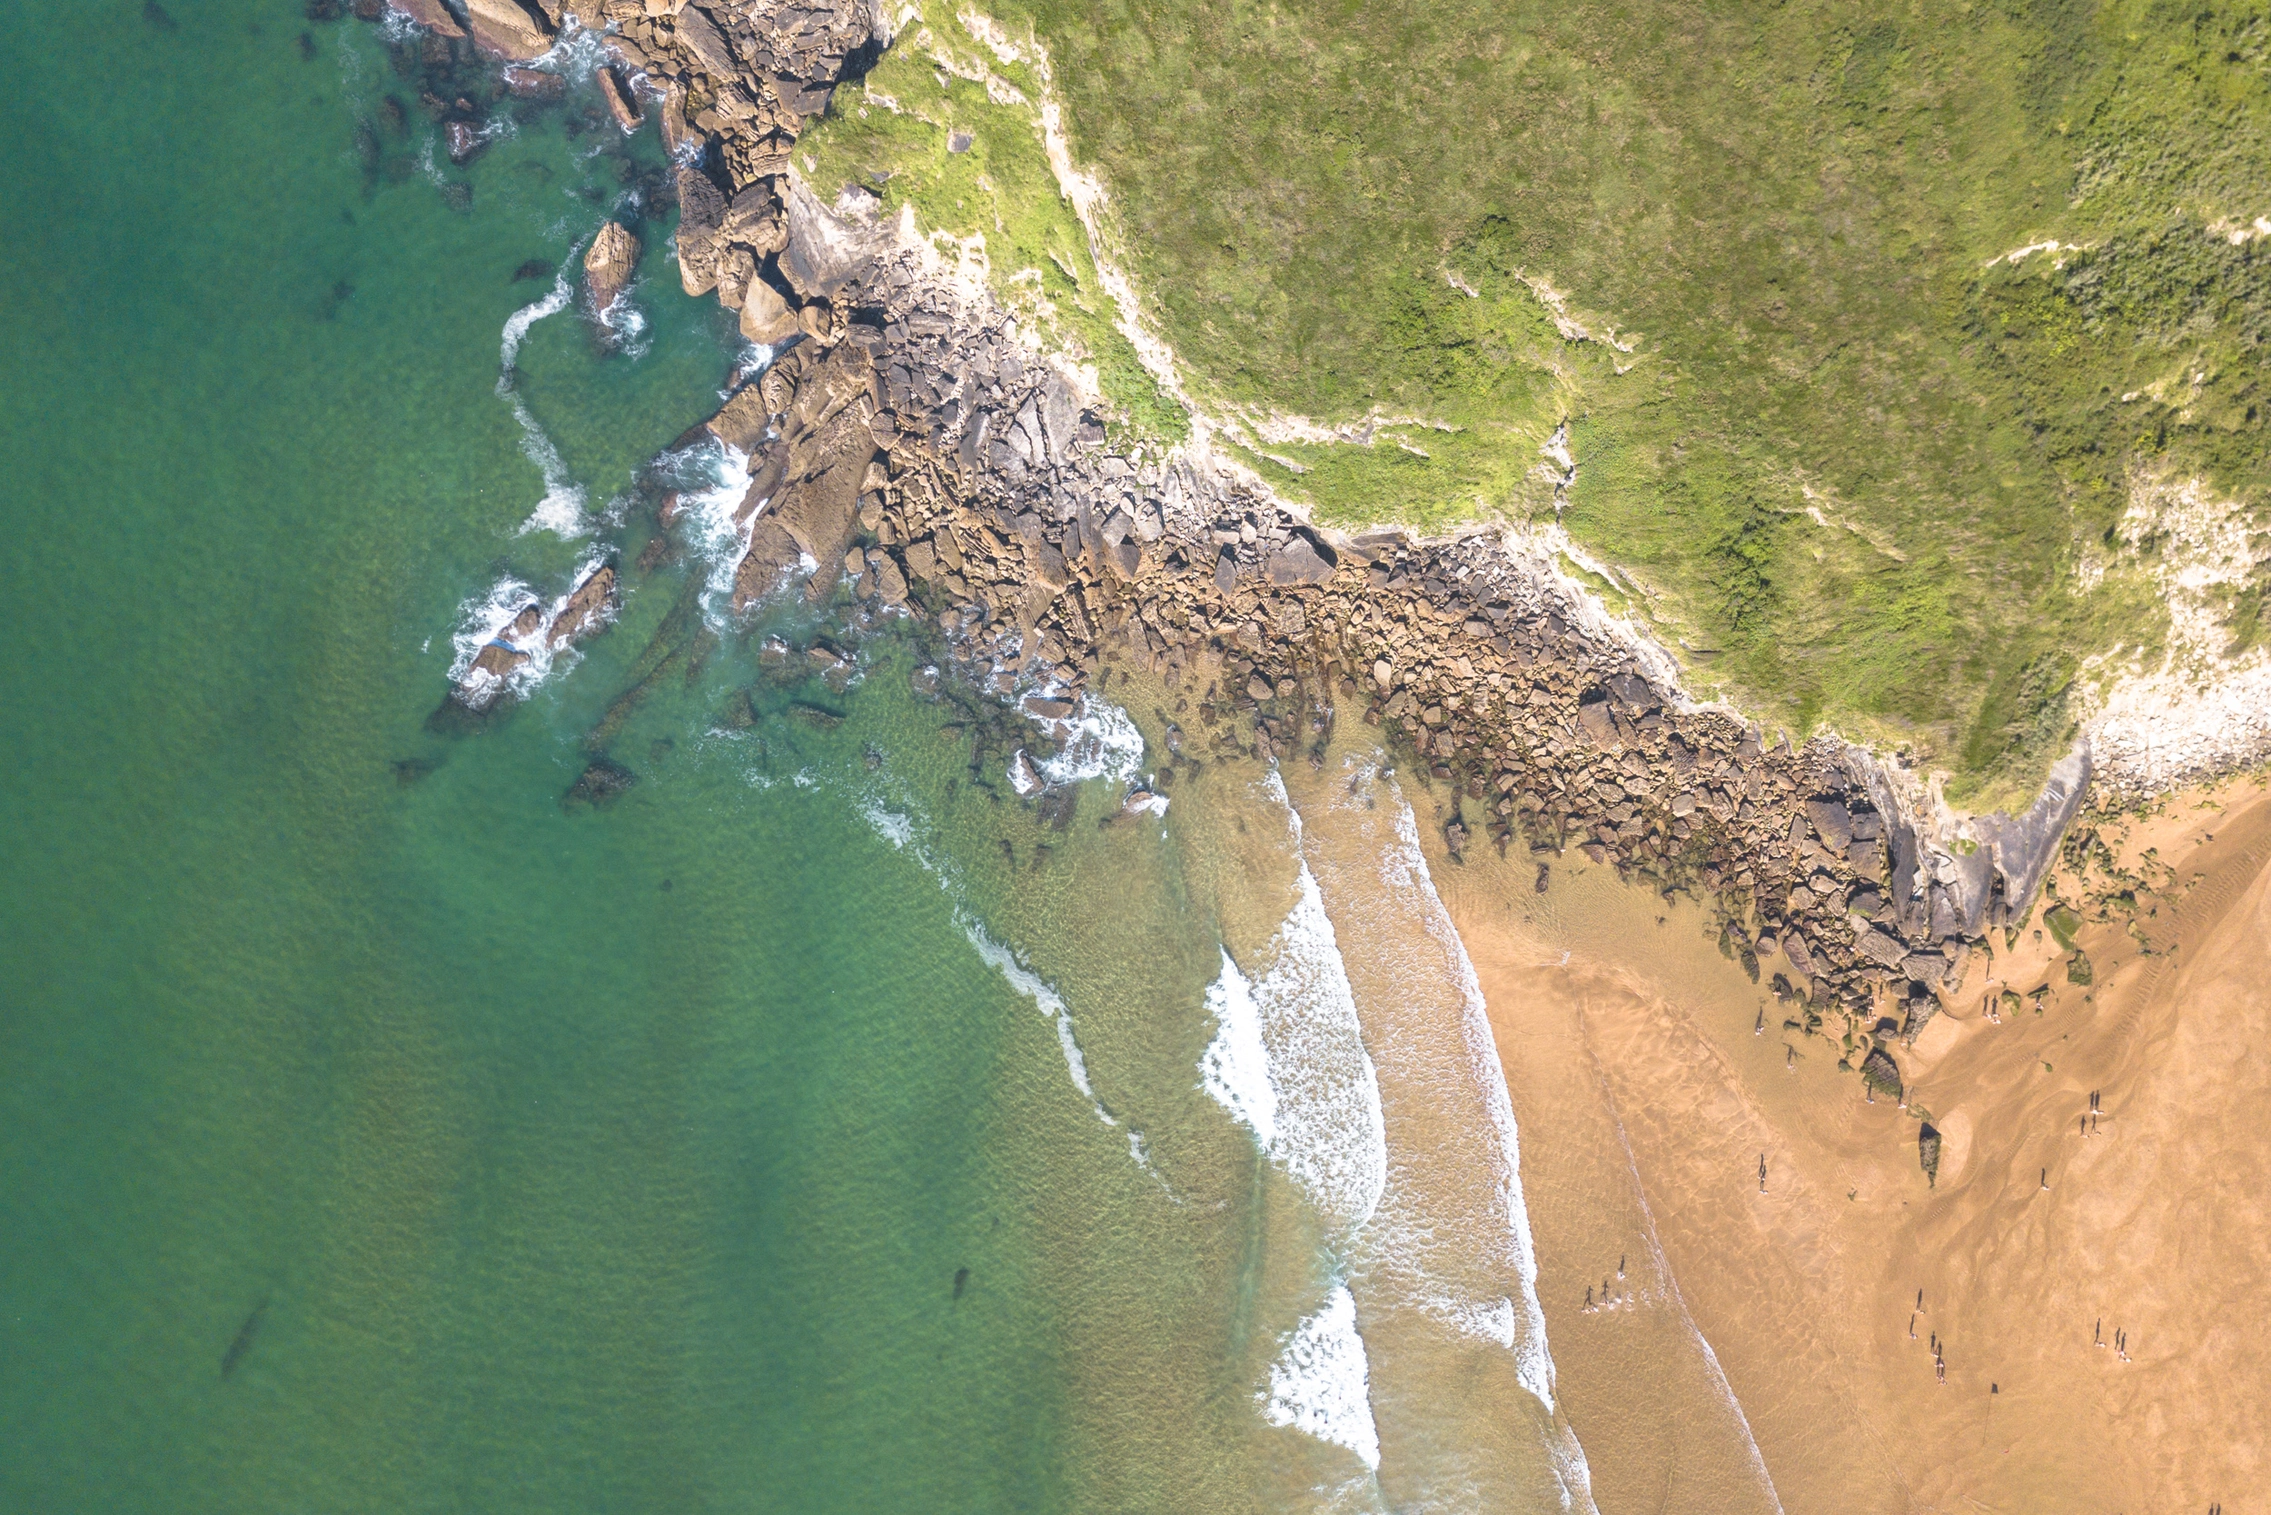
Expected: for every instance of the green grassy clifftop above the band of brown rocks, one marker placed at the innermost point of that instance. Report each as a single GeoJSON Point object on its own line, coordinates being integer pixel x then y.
{"type": "Point", "coordinates": [1852, 467]}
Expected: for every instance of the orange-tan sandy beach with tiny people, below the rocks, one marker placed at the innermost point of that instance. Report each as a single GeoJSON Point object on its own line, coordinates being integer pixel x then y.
{"type": "Point", "coordinates": [2072, 1316]}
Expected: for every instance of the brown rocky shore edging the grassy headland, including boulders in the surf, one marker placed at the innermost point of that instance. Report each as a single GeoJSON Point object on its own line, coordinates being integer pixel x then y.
{"type": "Point", "coordinates": [916, 442]}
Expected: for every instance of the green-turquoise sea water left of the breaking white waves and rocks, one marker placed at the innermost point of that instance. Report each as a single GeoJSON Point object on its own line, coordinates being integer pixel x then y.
{"type": "Point", "coordinates": [383, 1135]}
